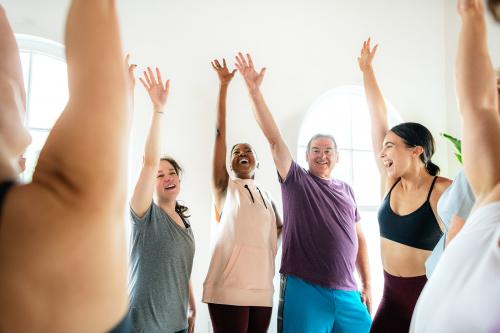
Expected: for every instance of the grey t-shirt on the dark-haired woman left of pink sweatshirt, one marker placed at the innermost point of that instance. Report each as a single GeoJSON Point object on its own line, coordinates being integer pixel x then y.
{"type": "Point", "coordinates": [161, 262]}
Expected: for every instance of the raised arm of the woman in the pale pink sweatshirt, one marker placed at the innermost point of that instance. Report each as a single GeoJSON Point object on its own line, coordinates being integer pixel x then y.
{"type": "Point", "coordinates": [220, 176]}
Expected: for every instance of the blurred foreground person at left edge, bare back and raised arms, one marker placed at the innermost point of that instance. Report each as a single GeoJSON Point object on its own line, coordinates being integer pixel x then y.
{"type": "Point", "coordinates": [63, 257]}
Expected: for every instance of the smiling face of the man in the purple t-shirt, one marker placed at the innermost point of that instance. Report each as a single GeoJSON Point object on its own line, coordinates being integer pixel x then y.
{"type": "Point", "coordinates": [322, 157]}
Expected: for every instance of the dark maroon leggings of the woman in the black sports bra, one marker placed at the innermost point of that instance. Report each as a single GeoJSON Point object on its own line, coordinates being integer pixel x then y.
{"type": "Point", "coordinates": [397, 304]}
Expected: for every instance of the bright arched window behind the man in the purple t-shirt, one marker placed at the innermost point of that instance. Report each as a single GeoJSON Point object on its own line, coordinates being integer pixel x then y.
{"type": "Point", "coordinates": [343, 113]}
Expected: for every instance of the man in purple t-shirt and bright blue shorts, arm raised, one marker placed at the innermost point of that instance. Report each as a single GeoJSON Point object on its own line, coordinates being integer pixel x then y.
{"type": "Point", "coordinates": [322, 241]}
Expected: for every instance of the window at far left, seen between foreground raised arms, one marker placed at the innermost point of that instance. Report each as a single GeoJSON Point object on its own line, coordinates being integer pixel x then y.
{"type": "Point", "coordinates": [46, 83]}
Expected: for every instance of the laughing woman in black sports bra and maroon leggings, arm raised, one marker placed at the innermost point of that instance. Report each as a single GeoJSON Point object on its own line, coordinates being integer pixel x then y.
{"type": "Point", "coordinates": [409, 226]}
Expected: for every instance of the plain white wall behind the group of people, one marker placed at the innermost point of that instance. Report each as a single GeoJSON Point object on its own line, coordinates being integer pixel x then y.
{"type": "Point", "coordinates": [308, 48]}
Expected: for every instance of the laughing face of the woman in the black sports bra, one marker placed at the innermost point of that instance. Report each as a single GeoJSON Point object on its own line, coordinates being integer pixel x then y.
{"type": "Point", "coordinates": [397, 157]}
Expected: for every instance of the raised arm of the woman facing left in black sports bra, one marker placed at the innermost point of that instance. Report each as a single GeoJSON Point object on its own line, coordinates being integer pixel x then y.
{"type": "Point", "coordinates": [376, 104]}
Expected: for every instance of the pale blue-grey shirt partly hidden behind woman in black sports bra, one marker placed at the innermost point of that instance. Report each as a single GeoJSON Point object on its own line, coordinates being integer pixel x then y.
{"type": "Point", "coordinates": [458, 199]}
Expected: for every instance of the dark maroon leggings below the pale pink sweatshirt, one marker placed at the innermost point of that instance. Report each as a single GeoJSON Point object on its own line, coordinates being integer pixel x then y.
{"type": "Point", "coordinates": [239, 319]}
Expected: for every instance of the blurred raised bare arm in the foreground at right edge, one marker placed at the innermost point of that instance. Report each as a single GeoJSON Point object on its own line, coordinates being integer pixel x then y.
{"type": "Point", "coordinates": [478, 103]}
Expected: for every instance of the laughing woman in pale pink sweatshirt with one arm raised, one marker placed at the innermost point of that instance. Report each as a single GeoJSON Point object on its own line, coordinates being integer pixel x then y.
{"type": "Point", "coordinates": [239, 284]}
